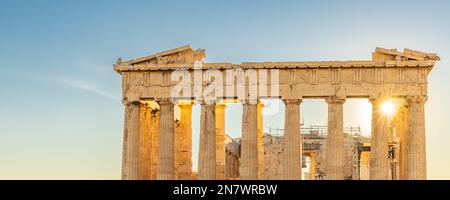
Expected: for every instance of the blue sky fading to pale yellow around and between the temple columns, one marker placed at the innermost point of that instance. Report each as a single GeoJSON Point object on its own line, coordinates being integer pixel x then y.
{"type": "Point", "coordinates": [60, 112]}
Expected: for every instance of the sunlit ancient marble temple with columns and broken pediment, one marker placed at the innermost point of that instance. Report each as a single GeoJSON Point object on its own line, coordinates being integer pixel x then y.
{"type": "Point", "coordinates": [158, 92]}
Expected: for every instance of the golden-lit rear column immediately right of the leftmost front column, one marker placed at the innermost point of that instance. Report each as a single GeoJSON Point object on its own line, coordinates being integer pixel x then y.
{"type": "Point", "coordinates": [145, 142]}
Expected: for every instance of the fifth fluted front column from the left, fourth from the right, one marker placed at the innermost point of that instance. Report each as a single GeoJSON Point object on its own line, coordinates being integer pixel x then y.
{"type": "Point", "coordinates": [292, 143]}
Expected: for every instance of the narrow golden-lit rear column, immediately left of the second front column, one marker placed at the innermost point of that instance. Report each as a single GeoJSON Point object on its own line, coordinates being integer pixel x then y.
{"type": "Point", "coordinates": [154, 124]}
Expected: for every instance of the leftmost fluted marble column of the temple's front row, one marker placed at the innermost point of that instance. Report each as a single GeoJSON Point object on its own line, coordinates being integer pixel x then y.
{"type": "Point", "coordinates": [131, 143]}
